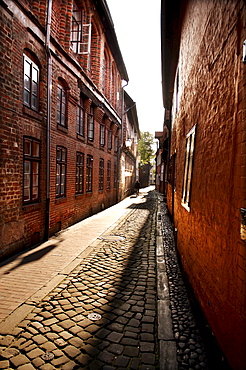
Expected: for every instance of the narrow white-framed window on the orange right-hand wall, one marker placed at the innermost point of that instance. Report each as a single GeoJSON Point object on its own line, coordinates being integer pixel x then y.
{"type": "Point", "coordinates": [190, 144]}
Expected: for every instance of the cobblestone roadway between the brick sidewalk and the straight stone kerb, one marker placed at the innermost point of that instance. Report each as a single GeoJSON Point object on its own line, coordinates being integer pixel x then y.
{"type": "Point", "coordinates": [103, 315]}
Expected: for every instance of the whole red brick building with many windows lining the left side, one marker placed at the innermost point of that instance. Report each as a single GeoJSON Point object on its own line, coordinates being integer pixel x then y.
{"type": "Point", "coordinates": [61, 113]}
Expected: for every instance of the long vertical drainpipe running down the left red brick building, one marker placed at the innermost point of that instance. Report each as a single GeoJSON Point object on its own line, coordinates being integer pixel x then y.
{"type": "Point", "coordinates": [49, 88]}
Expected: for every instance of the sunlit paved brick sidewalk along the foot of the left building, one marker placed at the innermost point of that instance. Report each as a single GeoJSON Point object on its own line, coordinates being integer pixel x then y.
{"type": "Point", "coordinates": [32, 274]}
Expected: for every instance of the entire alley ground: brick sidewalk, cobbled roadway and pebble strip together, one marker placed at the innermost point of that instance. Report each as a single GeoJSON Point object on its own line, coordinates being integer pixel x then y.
{"type": "Point", "coordinates": [97, 296]}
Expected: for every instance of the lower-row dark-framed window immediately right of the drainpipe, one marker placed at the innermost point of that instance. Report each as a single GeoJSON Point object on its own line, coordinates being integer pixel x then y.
{"type": "Point", "coordinates": [61, 164]}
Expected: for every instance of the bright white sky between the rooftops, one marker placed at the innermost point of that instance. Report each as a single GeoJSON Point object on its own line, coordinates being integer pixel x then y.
{"type": "Point", "coordinates": [137, 26]}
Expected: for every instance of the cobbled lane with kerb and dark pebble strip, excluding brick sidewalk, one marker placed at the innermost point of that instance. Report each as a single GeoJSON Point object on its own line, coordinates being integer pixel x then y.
{"type": "Point", "coordinates": [105, 314]}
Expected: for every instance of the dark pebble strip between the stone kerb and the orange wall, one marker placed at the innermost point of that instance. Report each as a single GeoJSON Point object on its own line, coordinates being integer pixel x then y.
{"type": "Point", "coordinates": [191, 352]}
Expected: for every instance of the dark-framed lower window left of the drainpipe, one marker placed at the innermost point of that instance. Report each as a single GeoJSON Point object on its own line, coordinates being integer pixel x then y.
{"type": "Point", "coordinates": [31, 153]}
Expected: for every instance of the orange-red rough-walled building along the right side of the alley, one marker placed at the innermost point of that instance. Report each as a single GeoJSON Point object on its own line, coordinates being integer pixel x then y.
{"type": "Point", "coordinates": [204, 74]}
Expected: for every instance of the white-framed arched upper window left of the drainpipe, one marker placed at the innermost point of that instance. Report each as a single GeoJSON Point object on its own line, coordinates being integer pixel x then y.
{"type": "Point", "coordinates": [31, 83]}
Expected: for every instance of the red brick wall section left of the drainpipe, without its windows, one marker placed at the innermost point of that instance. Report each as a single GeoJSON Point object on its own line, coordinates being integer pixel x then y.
{"type": "Point", "coordinates": [19, 224]}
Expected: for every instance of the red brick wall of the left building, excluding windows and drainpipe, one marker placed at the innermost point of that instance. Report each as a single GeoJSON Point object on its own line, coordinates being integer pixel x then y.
{"type": "Point", "coordinates": [24, 225]}
